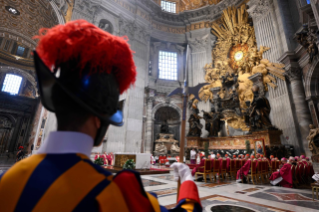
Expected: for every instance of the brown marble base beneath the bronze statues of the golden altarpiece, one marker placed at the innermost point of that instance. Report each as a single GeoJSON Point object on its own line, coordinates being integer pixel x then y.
{"type": "Point", "coordinates": [271, 138]}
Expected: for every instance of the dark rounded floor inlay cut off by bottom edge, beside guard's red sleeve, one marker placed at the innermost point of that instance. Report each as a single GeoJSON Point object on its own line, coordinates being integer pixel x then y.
{"type": "Point", "coordinates": [218, 203]}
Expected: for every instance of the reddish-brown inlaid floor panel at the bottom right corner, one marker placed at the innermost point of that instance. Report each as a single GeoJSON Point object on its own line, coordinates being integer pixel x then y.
{"type": "Point", "coordinates": [291, 197]}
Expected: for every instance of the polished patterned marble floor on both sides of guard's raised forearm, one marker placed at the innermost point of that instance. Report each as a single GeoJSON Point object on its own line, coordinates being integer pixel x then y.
{"type": "Point", "coordinates": [230, 196]}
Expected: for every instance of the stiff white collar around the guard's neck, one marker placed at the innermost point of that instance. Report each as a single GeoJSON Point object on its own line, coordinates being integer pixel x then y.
{"type": "Point", "coordinates": [62, 142]}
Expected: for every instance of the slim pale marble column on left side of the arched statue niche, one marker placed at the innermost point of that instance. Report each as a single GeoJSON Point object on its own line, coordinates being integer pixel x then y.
{"type": "Point", "coordinates": [149, 130]}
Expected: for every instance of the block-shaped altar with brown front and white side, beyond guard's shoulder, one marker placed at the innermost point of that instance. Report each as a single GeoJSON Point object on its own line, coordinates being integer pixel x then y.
{"type": "Point", "coordinates": [142, 160]}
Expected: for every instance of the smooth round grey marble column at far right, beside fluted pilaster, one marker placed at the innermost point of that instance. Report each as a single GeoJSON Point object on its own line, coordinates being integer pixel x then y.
{"type": "Point", "coordinates": [301, 108]}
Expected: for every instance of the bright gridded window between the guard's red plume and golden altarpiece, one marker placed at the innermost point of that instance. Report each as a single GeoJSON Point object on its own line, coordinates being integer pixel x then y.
{"type": "Point", "coordinates": [167, 65]}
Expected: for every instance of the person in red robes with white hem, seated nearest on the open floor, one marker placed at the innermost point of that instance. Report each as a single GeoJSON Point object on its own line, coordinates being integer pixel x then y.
{"type": "Point", "coordinates": [284, 175]}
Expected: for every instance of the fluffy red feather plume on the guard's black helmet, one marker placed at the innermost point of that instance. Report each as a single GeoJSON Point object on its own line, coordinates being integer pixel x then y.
{"type": "Point", "coordinates": [81, 40]}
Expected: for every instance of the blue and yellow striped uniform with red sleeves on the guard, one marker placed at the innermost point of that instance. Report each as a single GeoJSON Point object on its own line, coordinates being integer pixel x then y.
{"type": "Point", "coordinates": [71, 182]}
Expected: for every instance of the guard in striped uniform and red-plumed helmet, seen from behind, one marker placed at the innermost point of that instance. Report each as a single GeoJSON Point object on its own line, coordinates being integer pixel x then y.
{"type": "Point", "coordinates": [82, 70]}
